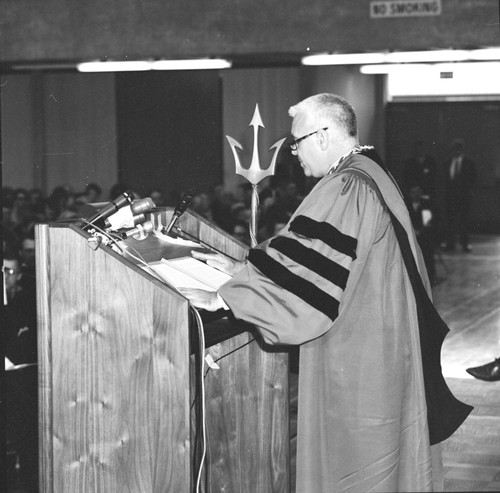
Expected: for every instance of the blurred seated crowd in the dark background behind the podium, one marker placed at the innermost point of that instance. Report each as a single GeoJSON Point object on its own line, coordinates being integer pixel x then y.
{"type": "Point", "coordinates": [22, 209]}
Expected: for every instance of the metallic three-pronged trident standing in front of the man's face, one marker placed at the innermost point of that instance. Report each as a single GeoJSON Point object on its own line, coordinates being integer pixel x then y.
{"type": "Point", "coordinates": [254, 174]}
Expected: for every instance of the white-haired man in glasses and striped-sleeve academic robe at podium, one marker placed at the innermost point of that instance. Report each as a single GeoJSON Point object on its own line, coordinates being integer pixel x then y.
{"type": "Point", "coordinates": [334, 281]}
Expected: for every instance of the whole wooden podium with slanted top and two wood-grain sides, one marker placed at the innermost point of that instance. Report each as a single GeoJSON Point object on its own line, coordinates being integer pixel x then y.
{"type": "Point", "coordinates": [117, 374]}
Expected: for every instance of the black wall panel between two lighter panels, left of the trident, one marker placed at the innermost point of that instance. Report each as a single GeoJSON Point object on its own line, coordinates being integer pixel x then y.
{"type": "Point", "coordinates": [169, 131]}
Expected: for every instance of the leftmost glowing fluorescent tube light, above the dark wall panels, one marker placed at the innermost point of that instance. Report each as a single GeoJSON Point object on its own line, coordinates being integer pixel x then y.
{"type": "Point", "coordinates": [142, 65]}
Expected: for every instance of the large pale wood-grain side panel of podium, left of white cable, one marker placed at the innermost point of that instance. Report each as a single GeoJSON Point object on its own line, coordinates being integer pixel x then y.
{"type": "Point", "coordinates": [118, 363]}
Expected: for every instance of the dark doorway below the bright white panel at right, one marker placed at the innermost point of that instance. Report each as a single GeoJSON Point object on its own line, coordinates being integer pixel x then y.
{"type": "Point", "coordinates": [437, 124]}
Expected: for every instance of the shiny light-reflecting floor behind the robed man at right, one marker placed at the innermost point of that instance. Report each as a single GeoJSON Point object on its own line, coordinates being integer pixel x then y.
{"type": "Point", "coordinates": [467, 297]}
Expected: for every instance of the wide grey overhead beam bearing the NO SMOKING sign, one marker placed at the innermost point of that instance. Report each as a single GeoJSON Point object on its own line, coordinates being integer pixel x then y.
{"type": "Point", "coordinates": [71, 29]}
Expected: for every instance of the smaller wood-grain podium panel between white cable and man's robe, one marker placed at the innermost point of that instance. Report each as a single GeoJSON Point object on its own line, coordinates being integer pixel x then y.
{"type": "Point", "coordinates": [247, 418]}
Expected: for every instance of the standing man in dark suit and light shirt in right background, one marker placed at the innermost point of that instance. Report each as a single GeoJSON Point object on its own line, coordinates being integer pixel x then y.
{"type": "Point", "coordinates": [459, 178]}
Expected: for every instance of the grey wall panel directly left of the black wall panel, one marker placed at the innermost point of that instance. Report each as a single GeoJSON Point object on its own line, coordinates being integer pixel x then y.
{"type": "Point", "coordinates": [80, 130]}
